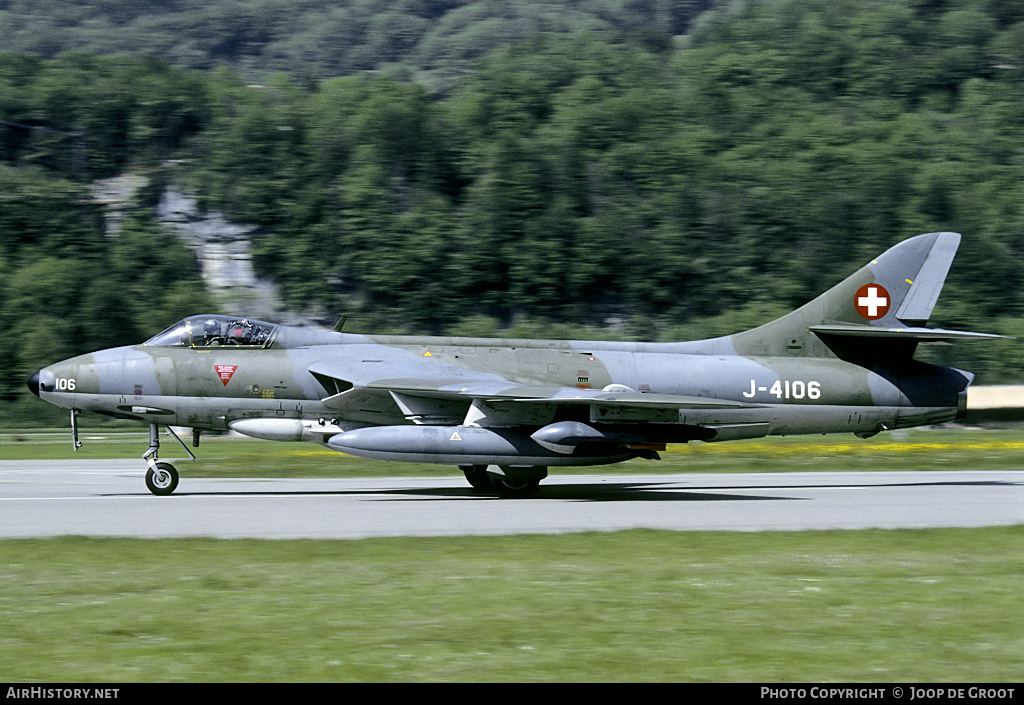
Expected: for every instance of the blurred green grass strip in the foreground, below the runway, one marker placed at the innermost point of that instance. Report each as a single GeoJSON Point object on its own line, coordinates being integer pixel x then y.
{"type": "Point", "coordinates": [935, 606]}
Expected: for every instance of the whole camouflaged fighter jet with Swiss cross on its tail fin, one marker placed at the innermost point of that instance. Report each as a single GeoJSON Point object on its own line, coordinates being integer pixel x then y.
{"type": "Point", "coordinates": [506, 410]}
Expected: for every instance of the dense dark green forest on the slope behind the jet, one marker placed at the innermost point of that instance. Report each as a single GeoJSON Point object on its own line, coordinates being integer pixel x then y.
{"type": "Point", "coordinates": [656, 181]}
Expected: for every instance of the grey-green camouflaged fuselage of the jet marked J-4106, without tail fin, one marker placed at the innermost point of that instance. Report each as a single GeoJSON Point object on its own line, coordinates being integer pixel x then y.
{"type": "Point", "coordinates": [290, 378]}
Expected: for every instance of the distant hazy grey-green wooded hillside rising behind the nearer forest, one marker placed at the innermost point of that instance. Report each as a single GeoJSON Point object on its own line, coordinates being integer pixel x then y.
{"type": "Point", "coordinates": [434, 40]}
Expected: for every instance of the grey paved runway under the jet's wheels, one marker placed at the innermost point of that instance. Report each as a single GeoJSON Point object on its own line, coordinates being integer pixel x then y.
{"type": "Point", "coordinates": [109, 499]}
